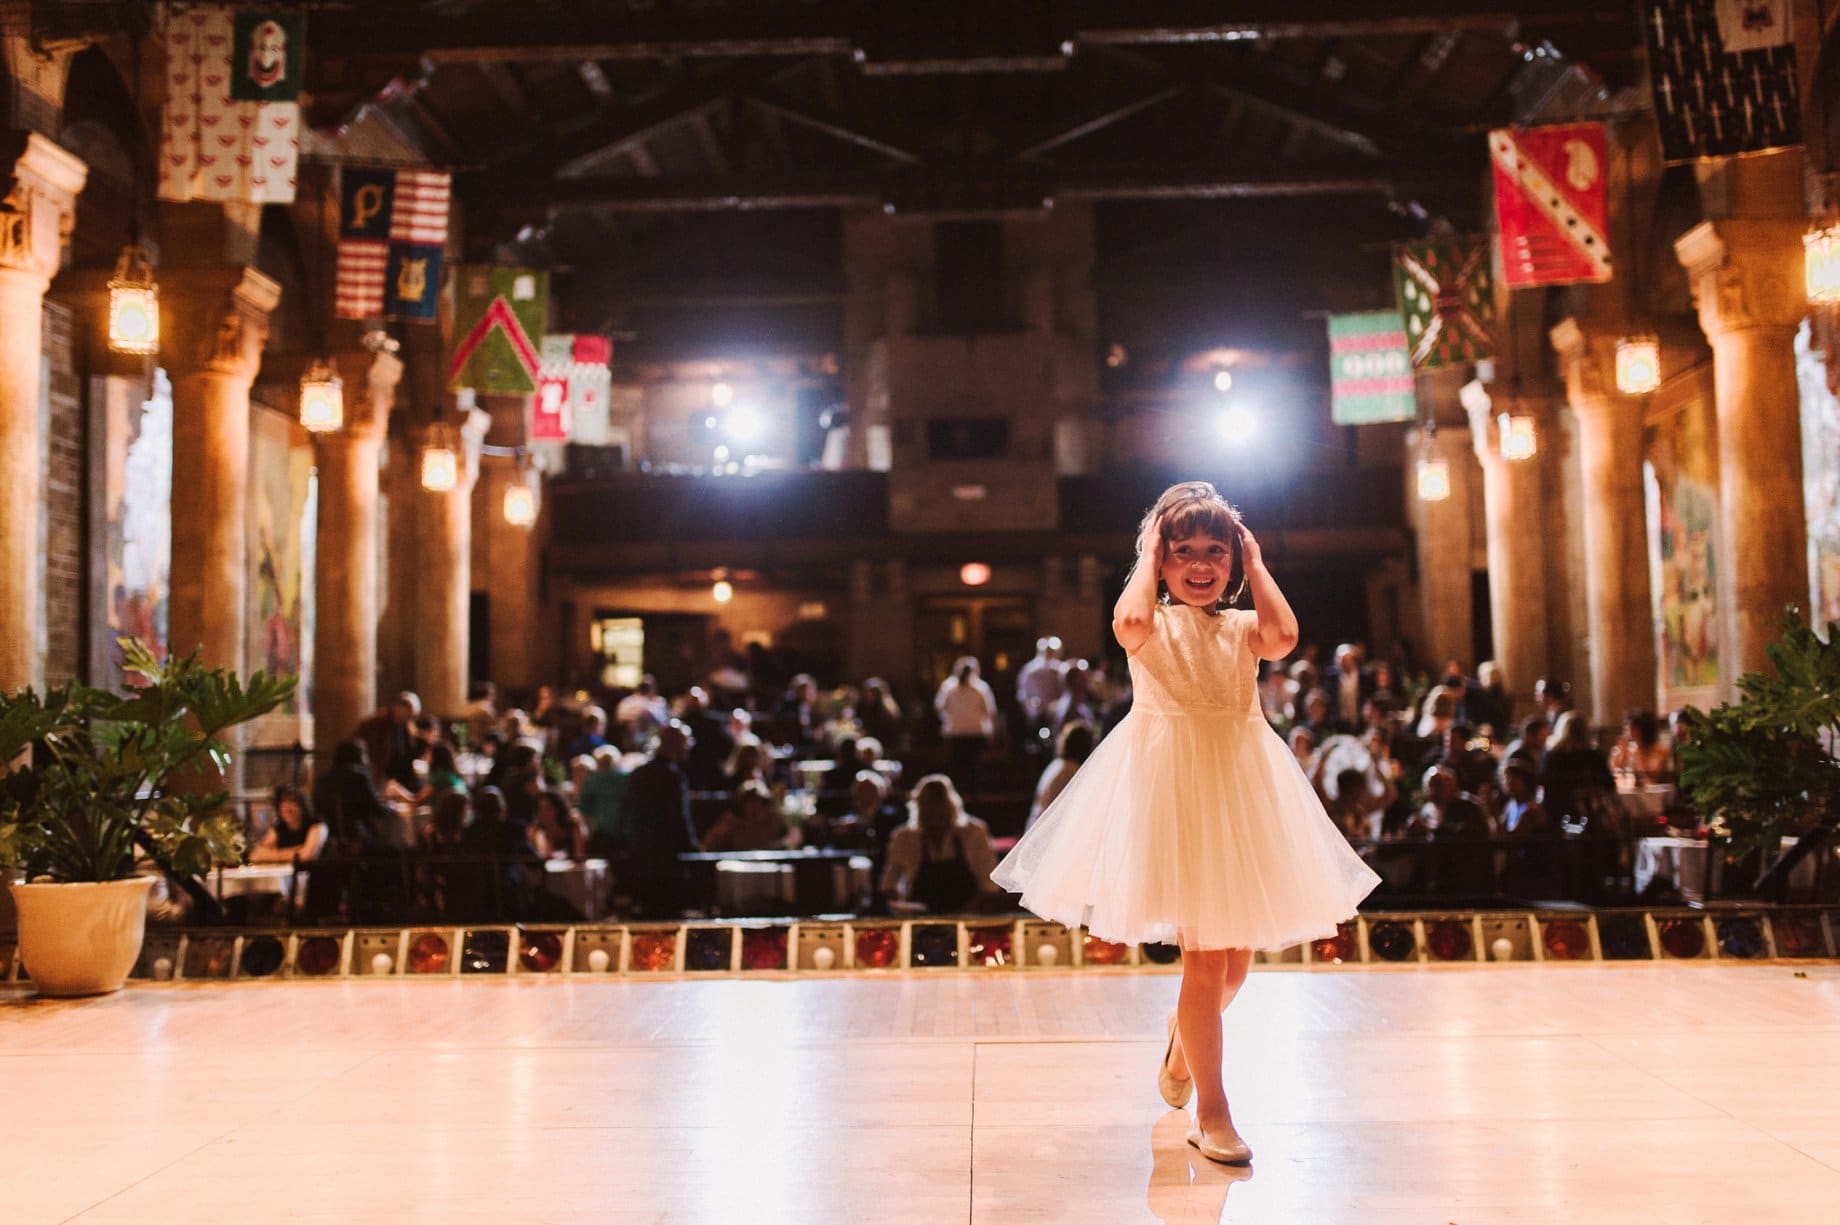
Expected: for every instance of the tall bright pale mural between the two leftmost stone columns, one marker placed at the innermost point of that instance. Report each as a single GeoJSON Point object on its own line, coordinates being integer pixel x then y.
{"type": "Point", "coordinates": [139, 520]}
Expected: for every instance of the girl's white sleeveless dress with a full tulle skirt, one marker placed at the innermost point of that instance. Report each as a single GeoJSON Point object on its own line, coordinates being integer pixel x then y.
{"type": "Point", "coordinates": [1191, 823]}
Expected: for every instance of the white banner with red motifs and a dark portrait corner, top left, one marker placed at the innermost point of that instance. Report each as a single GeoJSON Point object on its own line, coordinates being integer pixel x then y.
{"type": "Point", "coordinates": [231, 120]}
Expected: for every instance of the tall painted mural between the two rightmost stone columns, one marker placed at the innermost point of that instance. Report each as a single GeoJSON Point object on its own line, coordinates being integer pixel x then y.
{"type": "Point", "coordinates": [1681, 481]}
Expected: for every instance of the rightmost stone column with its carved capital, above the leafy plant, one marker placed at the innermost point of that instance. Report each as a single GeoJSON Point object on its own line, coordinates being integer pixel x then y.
{"type": "Point", "coordinates": [1747, 286]}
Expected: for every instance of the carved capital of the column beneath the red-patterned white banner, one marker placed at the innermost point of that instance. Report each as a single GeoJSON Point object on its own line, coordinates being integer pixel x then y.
{"type": "Point", "coordinates": [216, 321]}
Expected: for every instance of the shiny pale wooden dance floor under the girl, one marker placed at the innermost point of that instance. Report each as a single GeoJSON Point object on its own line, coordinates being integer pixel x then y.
{"type": "Point", "coordinates": [1471, 1095]}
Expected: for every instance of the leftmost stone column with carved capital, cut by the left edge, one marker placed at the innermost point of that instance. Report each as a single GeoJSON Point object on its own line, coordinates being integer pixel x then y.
{"type": "Point", "coordinates": [36, 222]}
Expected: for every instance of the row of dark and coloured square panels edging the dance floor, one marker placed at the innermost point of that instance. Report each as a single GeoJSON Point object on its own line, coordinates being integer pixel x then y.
{"type": "Point", "coordinates": [827, 948]}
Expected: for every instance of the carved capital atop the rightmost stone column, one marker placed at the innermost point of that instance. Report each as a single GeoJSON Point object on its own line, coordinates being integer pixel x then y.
{"type": "Point", "coordinates": [1745, 273]}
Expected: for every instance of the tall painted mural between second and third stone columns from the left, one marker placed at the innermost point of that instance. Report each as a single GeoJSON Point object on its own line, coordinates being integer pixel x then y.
{"type": "Point", "coordinates": [282, 520]}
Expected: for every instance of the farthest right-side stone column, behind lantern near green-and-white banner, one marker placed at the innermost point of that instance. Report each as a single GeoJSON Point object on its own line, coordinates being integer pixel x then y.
{"type": "Point", "coordinates": [1443, 538]}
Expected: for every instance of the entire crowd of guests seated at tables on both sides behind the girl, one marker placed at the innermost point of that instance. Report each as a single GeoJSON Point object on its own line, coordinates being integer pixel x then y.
{"type": "Point", "coordinates": [1399, 757]}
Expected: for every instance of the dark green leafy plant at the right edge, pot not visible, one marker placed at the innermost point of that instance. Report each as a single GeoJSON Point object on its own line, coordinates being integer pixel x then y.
{"type": "Point", "coordinates": [1765, 768]}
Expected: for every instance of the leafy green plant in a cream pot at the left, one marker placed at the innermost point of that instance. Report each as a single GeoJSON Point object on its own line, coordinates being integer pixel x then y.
{"type": "Point", "coordinates": [93, 783]}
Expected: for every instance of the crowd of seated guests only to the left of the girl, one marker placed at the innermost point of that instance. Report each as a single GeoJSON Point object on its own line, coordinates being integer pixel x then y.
{"type": "Point", "coordinates": [455, 821]}
